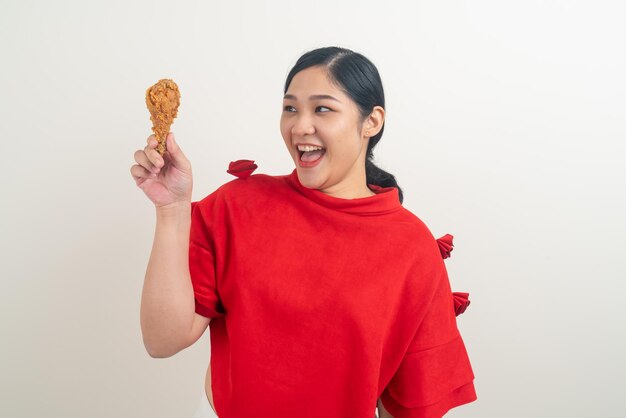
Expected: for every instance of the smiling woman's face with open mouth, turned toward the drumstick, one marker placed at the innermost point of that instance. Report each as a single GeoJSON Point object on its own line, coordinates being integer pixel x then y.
{"type": "Point", "coordinates": [332, 123]}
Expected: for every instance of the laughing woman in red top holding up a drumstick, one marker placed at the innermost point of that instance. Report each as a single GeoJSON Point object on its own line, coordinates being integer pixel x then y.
{"type": "Point", "coordinates": [325, 296]}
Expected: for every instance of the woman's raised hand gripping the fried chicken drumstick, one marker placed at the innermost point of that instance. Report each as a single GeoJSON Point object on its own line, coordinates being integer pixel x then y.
{"type": "Point", "coordinates": [167, 179]}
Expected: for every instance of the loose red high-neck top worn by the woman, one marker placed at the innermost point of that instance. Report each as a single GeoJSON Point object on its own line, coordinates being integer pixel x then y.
{"type": "Point", "coordinates": [321, 305]}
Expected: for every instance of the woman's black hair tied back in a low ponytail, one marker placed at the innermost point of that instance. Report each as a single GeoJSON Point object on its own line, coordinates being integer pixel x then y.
{"type": "Point", "coordinates": [358, 78]}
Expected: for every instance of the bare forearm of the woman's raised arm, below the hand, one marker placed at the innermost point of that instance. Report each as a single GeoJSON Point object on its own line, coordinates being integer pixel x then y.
{"type": "Point", "coordinates": [167, 303]}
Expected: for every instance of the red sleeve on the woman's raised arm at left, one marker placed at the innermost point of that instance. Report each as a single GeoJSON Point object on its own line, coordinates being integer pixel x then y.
{"type": "Point", "coordinates": [202, 257]}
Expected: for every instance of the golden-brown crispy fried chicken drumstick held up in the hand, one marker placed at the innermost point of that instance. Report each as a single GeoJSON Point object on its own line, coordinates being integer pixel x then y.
{"type": "Point", "coordinates": [163, 100]}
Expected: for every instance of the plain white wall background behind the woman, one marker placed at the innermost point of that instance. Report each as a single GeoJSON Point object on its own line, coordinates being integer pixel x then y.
{"type": "Point", "coordinates": [505, 127]}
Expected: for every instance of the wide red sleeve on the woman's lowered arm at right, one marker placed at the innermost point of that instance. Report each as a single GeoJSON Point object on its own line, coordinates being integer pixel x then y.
{"type": "Point", "coordinates": [435, 374]}
